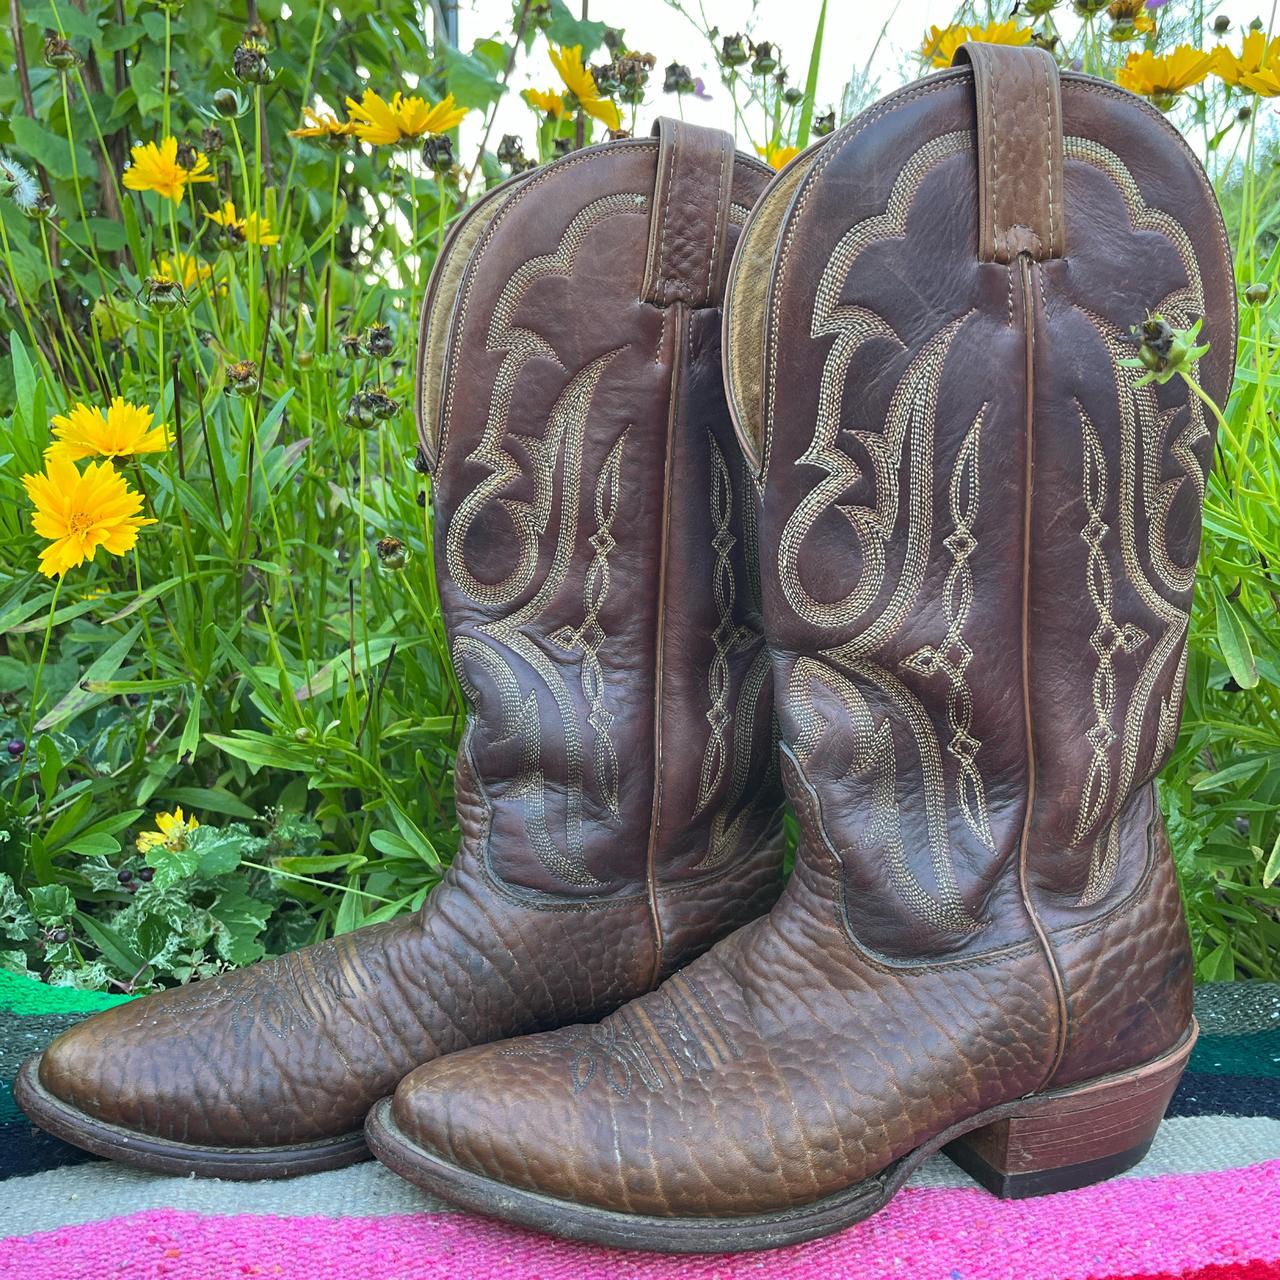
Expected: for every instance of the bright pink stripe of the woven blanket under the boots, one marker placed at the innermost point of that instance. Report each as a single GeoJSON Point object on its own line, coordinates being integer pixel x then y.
{"type": "Point", "coordinates": [1123, 1228]}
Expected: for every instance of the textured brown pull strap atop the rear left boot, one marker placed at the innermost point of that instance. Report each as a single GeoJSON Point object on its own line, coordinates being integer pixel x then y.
{"type": "Point", "coordinates": [689, 220]}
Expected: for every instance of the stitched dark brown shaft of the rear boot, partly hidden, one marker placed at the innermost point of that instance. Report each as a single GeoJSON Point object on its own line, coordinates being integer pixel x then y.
{"type": "Point", "coordinates": [593, 519]}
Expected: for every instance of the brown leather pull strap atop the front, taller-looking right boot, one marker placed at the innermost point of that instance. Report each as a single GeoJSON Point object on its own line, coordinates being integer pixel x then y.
{"type": "Point", "coordinates": [1021, 207]}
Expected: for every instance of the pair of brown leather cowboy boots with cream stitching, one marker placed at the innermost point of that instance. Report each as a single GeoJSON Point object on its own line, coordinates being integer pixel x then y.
{"type": "Point", "coordinates": [972, 528]}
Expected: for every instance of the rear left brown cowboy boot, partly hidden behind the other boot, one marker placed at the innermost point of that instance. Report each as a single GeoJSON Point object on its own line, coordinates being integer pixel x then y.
{"type": "Point", "coordinates": [596, 559]}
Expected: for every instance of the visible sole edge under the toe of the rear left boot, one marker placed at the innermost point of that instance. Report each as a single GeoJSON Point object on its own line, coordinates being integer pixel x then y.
{"type": "Point", "coordinates": [164, 1156]}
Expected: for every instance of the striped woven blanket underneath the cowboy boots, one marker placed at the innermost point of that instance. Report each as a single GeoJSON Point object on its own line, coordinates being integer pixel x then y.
{"type": "Point", "coordinates": [1205, 1205]}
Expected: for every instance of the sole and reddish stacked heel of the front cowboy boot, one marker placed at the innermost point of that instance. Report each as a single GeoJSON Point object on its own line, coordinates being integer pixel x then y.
{"type": "Point", "coordinates": [1035, 1146]}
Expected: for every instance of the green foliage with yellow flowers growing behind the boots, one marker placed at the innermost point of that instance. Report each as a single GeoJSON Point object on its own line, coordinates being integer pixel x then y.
{"type": "Point", "coordinates": [269, 653]}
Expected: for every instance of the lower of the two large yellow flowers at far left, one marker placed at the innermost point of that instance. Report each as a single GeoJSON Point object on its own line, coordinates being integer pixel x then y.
{"type": "Point", "coordinates": [79, 514]}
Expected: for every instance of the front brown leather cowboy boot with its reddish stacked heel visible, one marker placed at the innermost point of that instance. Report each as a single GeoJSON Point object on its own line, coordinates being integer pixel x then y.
{"type": "Point", "coordinates": [979, 543]}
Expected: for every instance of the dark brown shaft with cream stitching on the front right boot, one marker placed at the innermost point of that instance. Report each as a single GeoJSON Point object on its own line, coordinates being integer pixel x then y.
{"type": "Point", "coordinates": [981, 527]}
